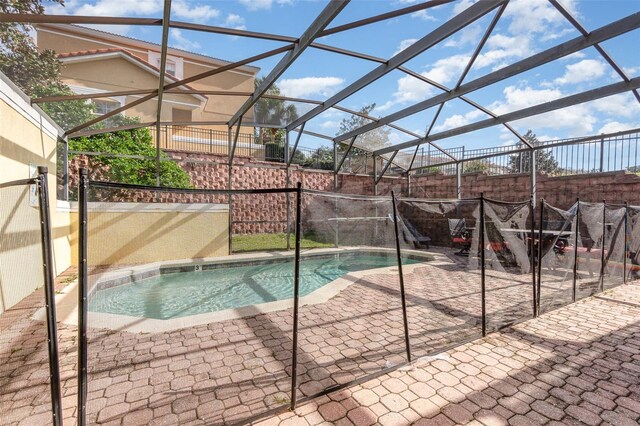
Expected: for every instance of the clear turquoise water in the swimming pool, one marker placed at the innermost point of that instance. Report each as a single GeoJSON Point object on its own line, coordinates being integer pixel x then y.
{"type": "Point", "coordinates": [182, 294]}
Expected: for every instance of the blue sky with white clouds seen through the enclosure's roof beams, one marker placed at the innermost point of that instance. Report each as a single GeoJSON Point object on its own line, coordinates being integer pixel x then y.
{"type": "Point", "coordinates": [525, 28]}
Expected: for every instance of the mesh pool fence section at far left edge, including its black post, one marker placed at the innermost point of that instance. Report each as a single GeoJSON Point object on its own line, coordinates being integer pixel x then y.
{"type": "Point", "coordinates": [28, 356]}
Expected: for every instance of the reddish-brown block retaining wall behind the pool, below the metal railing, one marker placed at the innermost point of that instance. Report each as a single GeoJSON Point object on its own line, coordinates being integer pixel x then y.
{"type": "Point", "coordinates": [258, 212]}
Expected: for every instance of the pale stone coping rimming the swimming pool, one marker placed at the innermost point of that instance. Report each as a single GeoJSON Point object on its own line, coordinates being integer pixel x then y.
{"type": "Point", "coordinates": [67, 308]}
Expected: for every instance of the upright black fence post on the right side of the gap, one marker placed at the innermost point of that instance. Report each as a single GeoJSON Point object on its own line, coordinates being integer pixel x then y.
{"type": "Point", "coordinates": [82, 296]}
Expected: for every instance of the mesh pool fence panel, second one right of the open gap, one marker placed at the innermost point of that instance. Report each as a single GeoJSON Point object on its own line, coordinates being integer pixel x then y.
{"type": "Point", "coordinates": [351, 321]}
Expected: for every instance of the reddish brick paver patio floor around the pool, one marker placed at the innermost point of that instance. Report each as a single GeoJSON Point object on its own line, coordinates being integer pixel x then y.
{"type": "Point", "coordinates": [577, 364]}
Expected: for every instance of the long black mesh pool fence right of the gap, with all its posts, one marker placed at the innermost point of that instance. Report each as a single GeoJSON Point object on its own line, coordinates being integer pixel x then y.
{"type": "Point", "coordinates": [369, 284]}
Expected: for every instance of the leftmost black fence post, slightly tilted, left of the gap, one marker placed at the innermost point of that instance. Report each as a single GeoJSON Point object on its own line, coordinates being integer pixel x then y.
{"type": "Point", "coordinates": [50, 298]}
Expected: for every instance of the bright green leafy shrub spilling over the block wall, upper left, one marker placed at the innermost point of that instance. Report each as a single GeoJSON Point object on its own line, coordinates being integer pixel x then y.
{"type": "Point", "coordinates": [130, 170]}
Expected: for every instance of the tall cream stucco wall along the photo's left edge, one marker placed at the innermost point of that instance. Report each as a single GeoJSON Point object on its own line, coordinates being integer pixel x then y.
{"type": "Point", "coordinates": [26, 138]}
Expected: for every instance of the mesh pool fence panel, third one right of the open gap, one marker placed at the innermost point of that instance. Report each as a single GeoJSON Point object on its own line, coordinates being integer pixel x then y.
{"type": "Point", "coordinates": [442, 308]}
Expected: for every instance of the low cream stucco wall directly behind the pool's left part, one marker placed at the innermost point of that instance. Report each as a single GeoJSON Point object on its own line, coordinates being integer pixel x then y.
{"type": "Point", "coordinates": [134, 233]}
